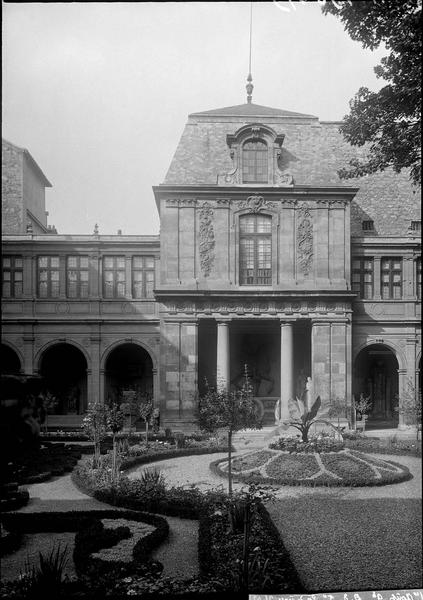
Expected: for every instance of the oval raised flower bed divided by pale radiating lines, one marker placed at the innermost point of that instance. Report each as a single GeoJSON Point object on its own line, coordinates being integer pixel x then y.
{"type": "Point", "coordinates": [321, 461]}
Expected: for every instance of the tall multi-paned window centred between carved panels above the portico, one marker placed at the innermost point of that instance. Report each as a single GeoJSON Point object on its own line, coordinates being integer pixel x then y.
{"type": "Point", "coordinates": [255, 250]}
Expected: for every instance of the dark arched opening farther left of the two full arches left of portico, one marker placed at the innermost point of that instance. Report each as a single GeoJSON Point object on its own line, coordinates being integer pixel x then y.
{"type": "Point", "coordinates": [64, 369]}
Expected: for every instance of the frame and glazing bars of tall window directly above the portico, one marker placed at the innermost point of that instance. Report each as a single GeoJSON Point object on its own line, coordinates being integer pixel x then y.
{"type": "Point", "coordinates": [255, 236]}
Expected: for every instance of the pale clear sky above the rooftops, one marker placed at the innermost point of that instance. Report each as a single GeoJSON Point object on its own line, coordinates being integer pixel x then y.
{"type": "Point", "coordinates": [99, 93]}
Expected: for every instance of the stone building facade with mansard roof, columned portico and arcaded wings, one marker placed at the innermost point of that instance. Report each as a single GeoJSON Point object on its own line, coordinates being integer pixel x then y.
{"type": "Point", "coordinates": [265, 258]}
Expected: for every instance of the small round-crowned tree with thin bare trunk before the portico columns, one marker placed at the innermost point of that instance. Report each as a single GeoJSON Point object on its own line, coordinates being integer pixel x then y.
{"type": "Point", "coordinates": [220, 408]}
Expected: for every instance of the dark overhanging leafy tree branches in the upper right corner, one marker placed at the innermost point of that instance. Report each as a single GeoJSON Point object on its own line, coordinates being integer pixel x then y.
{"type": "Point", "coordinates": [388, 120]}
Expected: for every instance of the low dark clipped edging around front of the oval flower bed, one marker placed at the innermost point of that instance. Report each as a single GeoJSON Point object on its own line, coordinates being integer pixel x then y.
{"type": "Point", "coordinates": [325, 481]}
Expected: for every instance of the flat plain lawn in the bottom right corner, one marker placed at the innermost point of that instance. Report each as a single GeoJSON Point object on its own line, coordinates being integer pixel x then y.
{"type": "Point", "coordinates": [352, 544]}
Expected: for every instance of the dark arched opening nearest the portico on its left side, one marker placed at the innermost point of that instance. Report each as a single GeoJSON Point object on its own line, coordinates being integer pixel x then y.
{"type": "Point", "coordinates": [129, 376]}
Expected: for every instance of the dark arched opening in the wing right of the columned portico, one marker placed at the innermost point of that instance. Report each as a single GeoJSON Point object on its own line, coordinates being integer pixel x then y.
{"type": "Point", "coordinates": [376, 375]}
